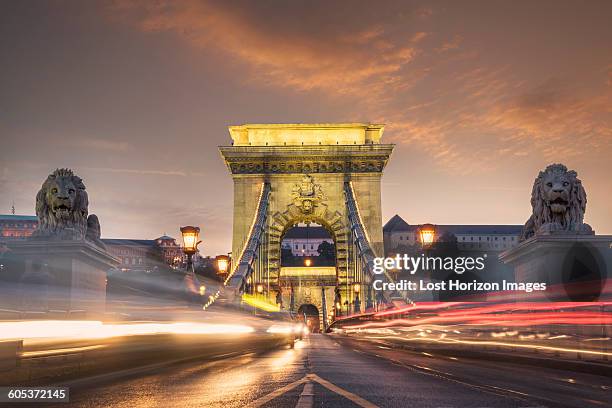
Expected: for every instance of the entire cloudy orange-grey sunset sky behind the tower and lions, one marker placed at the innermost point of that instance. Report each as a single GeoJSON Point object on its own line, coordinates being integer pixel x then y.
{"type": "Point", "coordinates": [478, 96]}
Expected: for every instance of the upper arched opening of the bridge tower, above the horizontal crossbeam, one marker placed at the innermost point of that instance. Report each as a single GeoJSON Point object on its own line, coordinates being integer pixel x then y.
{"type": "Point", "coordinates": [308, 245]}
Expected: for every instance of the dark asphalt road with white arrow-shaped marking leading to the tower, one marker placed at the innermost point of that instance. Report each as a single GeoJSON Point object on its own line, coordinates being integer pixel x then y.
{"type": "Point", "coordinates": [336, 372]}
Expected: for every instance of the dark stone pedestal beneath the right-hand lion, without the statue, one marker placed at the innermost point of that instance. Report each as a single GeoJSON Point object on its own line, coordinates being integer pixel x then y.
{"type": "Point", "coordinates": [574, 267]}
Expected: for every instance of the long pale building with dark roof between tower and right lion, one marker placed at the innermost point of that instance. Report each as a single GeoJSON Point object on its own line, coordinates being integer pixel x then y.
{"type": "Point", "coordinates": [398, 233]}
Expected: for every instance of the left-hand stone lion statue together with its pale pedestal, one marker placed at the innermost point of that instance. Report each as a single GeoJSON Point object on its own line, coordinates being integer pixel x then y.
{"type": "Point", "coordinates": [61, 270]}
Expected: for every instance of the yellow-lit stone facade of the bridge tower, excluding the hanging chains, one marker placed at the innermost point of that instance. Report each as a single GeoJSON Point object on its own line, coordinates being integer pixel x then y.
{"type": "Point", "coordinates": [307, 166]}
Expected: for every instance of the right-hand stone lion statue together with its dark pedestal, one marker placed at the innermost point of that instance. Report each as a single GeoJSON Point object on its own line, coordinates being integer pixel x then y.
{"type": "Point", "coordinates": [557, 247]}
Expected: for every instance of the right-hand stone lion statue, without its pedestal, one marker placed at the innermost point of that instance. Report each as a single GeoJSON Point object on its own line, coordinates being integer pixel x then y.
{"type": "Point", "coordinates": [558, 201]}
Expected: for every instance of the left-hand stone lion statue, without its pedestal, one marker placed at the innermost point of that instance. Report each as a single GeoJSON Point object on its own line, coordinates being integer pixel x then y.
{"type": "Point", "coordinates": [61, 209]}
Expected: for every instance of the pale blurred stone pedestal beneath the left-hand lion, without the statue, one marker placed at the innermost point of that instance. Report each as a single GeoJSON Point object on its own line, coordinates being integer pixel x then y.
{"type": "Point", "coordinates": [59, 278]}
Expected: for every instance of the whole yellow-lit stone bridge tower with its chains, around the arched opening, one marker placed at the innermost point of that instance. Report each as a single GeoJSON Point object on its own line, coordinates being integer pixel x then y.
{"type": "Point", "coordinates": [286, 174]}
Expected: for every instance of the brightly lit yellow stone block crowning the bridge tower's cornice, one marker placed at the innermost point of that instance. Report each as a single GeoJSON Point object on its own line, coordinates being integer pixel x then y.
{"type": "Point", "coordinates": [296, 134]}
